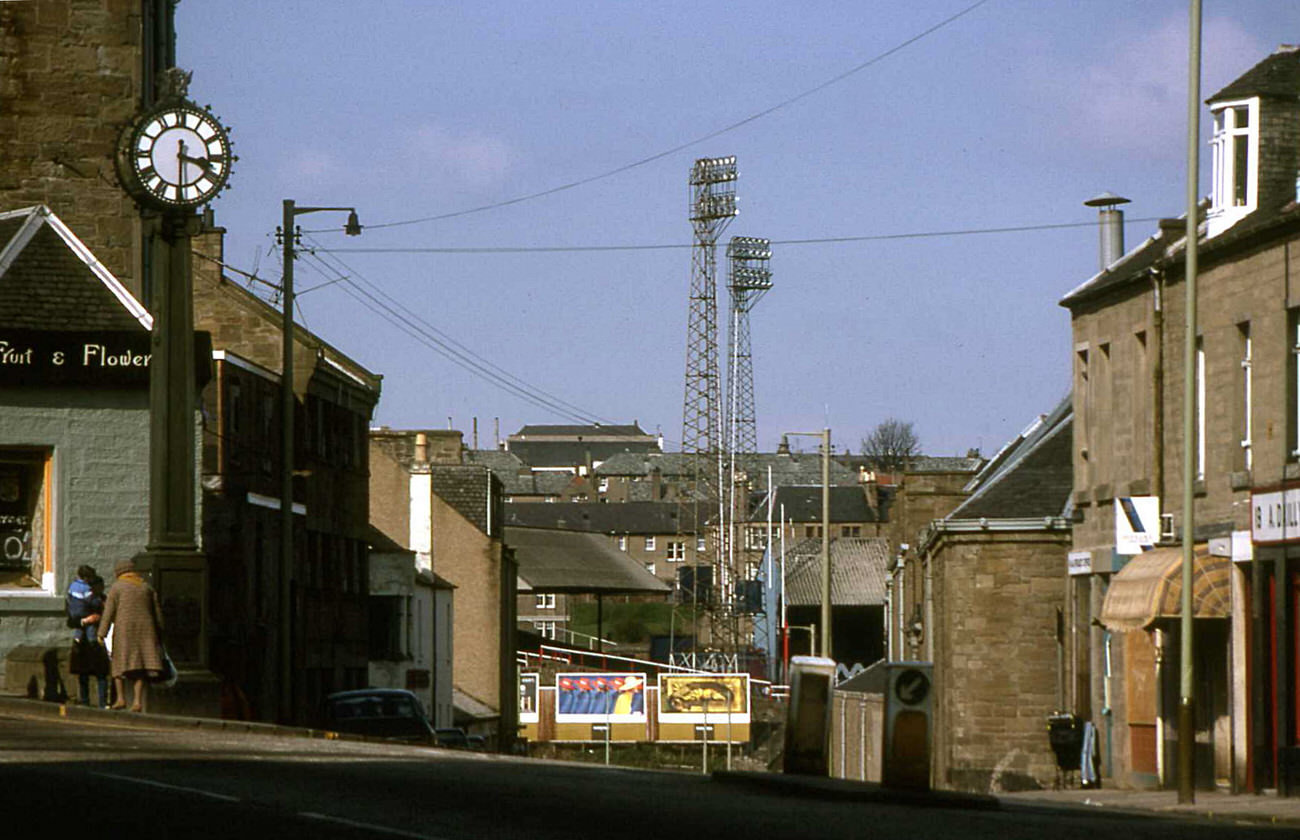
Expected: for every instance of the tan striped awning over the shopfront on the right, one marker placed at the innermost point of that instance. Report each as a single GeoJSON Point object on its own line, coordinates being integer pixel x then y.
{"type": "Point", "coordinates": [1151, 587]}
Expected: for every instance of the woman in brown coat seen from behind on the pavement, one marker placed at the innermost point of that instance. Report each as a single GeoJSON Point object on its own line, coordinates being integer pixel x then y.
{"type": "Point", "coordinates": [136, 618]}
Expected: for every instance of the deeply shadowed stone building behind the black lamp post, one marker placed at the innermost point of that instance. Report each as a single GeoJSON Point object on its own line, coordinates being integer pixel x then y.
{"type": "Point", "coordinates": [242, 462]}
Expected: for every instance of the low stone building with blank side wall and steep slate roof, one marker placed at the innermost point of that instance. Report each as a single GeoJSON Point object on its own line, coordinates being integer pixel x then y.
{"type": "Point", "coordinates": [986, 607]}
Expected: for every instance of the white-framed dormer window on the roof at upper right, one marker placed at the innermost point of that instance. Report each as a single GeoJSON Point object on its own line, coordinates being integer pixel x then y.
{"type": "Point", "coordinates": [1237, 151]}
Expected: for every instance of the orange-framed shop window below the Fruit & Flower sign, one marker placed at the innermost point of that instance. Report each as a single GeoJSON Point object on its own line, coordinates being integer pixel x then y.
{"type": "Point", "coordinates": [27, 555]}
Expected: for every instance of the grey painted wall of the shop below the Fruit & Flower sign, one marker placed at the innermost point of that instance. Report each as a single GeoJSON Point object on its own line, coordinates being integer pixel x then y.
{"type": "Point", "coordinates": [101, 493]}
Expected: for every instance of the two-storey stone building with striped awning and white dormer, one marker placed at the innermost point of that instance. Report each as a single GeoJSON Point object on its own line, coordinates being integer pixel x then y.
{"type": "Point", "coordinates": [1130, 330]}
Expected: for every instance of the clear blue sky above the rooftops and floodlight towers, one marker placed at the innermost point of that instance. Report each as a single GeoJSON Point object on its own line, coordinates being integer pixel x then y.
{"type": "Point", "coordinates": [1009, 116]}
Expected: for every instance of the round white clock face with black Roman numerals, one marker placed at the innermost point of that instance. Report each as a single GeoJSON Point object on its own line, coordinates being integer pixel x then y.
{"type": "Point", "coordinates": [177, 157]}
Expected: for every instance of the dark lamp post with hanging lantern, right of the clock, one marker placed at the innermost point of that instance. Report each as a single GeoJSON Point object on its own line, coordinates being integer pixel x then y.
{"type": "Point", "coordinates": [289, 237]}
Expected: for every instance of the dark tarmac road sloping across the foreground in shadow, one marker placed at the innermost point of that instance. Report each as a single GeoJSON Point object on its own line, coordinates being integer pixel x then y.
{"type": "Point", "coordinates": [106, 778]}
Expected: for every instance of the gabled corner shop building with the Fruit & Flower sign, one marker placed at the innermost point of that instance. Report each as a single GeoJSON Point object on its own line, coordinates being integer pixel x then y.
{"type": "Point", "coordinates": [75, 436]}
